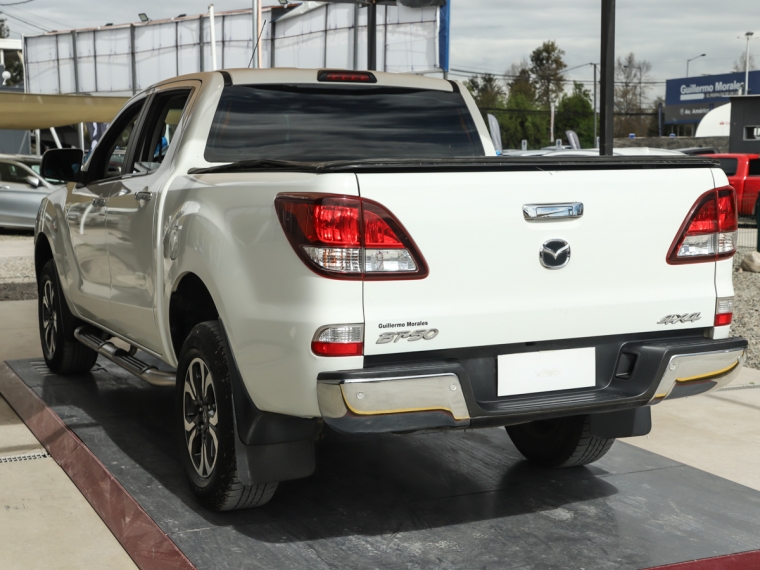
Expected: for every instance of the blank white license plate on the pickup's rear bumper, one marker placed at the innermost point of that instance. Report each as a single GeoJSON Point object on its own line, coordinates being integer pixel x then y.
{"type": "Point", "coordinates": [546, 371]}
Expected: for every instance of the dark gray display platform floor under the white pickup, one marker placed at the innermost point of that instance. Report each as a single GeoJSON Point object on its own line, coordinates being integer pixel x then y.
{"type": "Point", "coordinates": [432, 500]}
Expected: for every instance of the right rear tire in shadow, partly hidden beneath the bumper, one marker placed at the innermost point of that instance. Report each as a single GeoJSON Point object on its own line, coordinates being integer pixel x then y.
{"type": "Point", "coordinates": [561, 442]}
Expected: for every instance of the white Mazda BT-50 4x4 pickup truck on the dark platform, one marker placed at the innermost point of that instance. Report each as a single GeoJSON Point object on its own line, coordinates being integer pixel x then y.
{"type": "Point", "coordinates": [293, 248]}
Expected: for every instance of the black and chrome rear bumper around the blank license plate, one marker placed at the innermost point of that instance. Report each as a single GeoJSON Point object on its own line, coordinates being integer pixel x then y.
{"type": "Point", "coordinates": [458, 393]}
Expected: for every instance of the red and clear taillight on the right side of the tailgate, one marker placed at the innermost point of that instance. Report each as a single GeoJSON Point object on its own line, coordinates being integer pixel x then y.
{"type": "Point", "coordinates": [710, 230]}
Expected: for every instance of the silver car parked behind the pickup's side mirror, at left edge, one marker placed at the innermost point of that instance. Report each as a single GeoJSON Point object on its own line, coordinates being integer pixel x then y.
{"type": "Point", "coordinates": [21, 190]}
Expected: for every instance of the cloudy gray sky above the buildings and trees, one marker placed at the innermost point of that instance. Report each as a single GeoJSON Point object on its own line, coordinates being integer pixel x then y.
{"type": "Point", "coordinates": [489, 35]}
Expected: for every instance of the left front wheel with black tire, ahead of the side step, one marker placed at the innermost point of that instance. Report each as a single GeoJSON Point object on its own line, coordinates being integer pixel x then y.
{"type": "Point", "coordinates": [63, 353]}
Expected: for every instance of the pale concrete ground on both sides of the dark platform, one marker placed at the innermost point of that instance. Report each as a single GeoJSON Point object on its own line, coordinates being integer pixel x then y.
{"type": "Point", "coordinates": [48, 524]}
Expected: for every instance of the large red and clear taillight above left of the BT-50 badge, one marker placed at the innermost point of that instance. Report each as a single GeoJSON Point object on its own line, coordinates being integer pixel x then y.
{"type": "Point", "coordinates": [345, 237]}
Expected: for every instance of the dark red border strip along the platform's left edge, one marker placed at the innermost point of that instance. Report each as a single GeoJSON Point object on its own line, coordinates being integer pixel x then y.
{"type": "Point", "coordinates": [141, 537]}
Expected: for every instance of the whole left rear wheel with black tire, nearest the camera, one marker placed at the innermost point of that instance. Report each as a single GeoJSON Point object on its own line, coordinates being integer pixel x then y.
{"type": "Point", "coordinates": [206, 424]}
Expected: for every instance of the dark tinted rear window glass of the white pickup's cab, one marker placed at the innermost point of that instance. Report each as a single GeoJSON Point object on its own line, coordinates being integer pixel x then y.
{"type": "Point", "coordinates": [337, 122]}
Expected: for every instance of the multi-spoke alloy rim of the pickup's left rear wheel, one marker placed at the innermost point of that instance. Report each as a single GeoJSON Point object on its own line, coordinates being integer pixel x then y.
{"type": "Point", "coordinates": [199, 412]}
